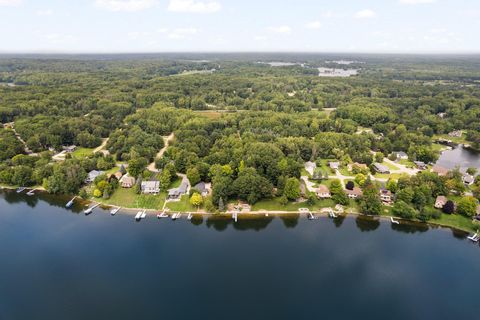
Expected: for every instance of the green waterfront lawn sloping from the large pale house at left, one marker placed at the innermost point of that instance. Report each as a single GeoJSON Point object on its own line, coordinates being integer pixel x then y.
{"type": "Point", "coordinates": [129, 199]}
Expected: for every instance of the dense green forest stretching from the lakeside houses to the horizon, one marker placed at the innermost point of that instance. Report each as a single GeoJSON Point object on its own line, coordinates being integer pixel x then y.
{"type": "Point", "coordinates": [240, 122]}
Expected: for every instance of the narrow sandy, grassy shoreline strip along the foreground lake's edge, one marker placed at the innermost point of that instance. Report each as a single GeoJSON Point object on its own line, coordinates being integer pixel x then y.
{"type": "Point", "coordinates": [261, 213]}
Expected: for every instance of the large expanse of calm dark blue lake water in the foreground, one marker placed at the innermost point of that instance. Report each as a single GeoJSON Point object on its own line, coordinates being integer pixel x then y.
{"type": "Point", "coordinates": [61, 264]}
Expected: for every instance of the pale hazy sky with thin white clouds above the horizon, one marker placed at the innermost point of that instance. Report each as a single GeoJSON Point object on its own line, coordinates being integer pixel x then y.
{"type": "Point", "coordinates": [109, 26]}
